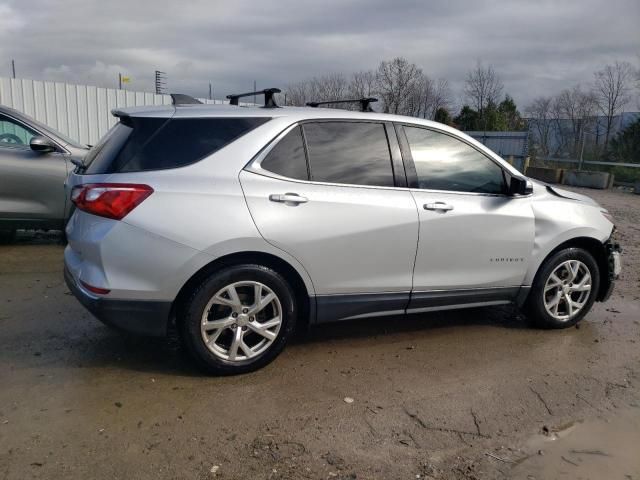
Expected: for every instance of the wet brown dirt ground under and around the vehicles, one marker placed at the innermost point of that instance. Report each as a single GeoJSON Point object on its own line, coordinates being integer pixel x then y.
{"type": "Point", "coordinates": [459, 395]}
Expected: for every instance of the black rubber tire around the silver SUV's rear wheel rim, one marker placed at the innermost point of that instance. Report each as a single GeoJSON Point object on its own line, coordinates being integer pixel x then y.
{"type": "Point", "coordinates": [190, 315]}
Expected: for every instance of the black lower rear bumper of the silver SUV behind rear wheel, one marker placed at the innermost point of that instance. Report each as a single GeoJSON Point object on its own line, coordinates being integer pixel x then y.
{"type": "Point", "coordinates": [140, 317]}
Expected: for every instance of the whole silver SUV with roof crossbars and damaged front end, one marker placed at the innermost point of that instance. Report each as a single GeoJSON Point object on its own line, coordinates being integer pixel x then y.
{"type": "Point", "coordinates": [238, 224]}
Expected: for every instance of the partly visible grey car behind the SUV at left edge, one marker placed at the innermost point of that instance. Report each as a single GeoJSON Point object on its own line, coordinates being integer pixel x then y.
{"type": "Point", "coordinates": [34, 163]}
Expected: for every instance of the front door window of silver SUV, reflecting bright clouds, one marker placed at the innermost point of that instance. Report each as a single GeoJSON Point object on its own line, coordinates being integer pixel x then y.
{"type": "Point", "coordinates": [445, 163]}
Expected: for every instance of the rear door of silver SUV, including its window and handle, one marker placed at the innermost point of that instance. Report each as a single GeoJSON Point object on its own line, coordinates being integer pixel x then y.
{"type": "Point", "coordinates": [339, 213]}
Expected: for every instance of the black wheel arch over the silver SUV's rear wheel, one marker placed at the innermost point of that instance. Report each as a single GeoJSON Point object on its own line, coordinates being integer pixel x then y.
{"type": "Point", "coordinates": [304, 298]}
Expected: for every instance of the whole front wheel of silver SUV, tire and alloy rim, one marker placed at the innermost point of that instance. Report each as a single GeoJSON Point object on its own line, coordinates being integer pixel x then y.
{"type": "Point", "coordinates": [562, 300]}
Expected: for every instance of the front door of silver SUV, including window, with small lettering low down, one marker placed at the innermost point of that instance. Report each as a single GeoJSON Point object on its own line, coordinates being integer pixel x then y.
{"type": "Point", "coordinates": [475, 240]}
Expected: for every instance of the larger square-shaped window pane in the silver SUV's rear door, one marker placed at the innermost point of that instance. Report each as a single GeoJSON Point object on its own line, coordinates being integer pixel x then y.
{"type": "Point", "coordinates": [349, 152]}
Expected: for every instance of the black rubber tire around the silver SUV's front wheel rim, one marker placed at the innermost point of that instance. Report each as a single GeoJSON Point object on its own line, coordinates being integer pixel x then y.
{"type": "Point", "coordinates": [535, 306]}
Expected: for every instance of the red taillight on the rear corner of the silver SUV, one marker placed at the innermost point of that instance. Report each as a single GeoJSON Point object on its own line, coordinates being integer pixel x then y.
{"type": "Point", "coordinates": [110, 200]}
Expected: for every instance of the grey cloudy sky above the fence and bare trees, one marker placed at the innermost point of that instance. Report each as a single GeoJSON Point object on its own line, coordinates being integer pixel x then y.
{"type": "Point", "coordinates": [538, 47]}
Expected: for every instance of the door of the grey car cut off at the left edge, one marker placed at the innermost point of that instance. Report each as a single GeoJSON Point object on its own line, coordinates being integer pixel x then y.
{"type": "Point", "coordinates": [31, 183]}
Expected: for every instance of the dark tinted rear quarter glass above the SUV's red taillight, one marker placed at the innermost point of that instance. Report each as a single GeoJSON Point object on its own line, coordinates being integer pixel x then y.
{"type": "Point", "coordinates": [138, 144]}
